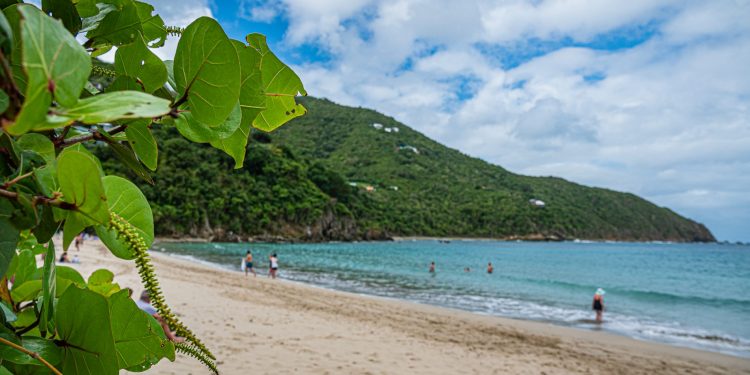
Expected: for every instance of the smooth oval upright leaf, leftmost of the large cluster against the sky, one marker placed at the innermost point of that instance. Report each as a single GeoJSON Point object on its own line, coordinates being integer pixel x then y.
{"type": "Point", "coordinates": [205, 70]}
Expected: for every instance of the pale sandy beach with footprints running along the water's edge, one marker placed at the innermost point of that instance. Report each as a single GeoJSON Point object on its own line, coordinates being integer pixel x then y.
{"type": "Point", "coordinates": [258, 325]}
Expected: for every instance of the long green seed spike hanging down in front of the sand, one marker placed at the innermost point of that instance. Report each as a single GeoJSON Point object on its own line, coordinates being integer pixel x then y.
{"type": "Point", "coordinates": [127, 233]}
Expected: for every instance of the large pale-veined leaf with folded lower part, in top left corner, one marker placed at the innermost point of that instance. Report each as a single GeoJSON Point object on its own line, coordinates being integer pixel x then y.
{"type": "Point", "coordinates": [57, 73]}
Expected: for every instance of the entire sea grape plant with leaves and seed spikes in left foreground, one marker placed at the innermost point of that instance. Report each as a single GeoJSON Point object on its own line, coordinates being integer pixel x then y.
{"type": "Point", "coordinates": [53, 109]}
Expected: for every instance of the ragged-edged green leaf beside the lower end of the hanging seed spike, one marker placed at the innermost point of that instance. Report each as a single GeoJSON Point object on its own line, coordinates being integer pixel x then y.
{"type": "Point", "coordinates": [139, 339]}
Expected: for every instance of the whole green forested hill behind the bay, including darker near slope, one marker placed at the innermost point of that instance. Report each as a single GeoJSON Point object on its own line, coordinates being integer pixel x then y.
{"type": "Point", "coordinates": [341, 173]}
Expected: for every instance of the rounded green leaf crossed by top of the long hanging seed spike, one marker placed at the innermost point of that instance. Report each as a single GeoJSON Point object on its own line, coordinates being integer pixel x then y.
{"type": "Point", "coordinates": [128, 202]}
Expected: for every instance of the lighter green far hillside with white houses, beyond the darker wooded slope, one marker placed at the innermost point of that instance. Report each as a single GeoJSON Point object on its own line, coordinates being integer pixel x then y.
{"type": "Point", "coordinates": [442, 192]}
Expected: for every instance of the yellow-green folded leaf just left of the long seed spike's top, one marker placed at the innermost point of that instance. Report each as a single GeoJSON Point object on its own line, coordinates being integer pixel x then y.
{"type": "Point", "coordinates": [81, 185]}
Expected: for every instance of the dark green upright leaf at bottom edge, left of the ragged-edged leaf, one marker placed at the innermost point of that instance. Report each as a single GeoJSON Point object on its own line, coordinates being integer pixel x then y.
{"type": "Point", "coordinates": [85, 333]}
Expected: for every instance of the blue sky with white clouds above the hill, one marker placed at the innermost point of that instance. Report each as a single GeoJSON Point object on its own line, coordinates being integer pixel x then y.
{"type": "Point", "coordinates": [647, 97]}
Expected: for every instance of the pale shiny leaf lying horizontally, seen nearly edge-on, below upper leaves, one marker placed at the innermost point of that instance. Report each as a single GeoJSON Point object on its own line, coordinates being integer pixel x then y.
{"type": "Point", "coordinates": [113, 106]}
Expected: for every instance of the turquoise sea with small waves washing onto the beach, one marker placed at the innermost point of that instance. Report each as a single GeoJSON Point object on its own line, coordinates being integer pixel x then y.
{"type": "Point", "coordinates": [695, 295]}
